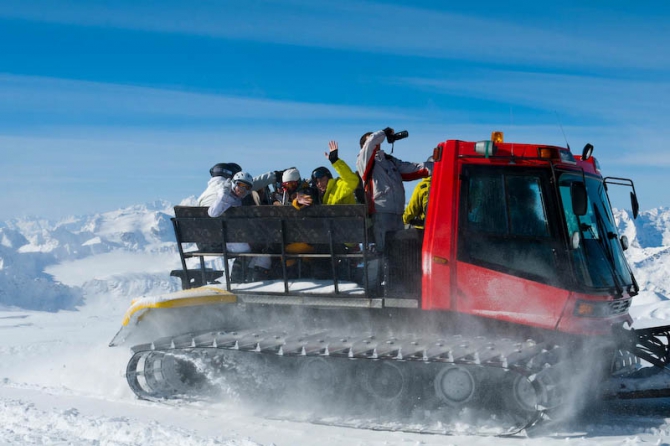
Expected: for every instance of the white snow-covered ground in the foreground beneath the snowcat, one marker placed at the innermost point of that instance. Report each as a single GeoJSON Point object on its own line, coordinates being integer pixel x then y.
{"type": "Point", "coordinates": [60, 384]}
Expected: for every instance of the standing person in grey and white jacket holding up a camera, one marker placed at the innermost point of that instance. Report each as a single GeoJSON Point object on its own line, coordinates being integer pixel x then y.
{"type": "Point", "coordinates": [383, 177]}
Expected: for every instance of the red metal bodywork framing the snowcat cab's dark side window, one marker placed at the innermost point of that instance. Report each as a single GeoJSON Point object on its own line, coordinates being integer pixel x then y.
{"type": "Point", "coordinates": [453, 285]}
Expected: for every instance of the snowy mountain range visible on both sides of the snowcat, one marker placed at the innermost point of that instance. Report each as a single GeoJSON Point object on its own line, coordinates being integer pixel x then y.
{"type": "Point", "coordinates": [53, 265]}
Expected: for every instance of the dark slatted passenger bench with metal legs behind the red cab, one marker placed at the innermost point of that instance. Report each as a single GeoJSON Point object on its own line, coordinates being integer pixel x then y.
{"type": "Point", "coordinates": [276, 227]}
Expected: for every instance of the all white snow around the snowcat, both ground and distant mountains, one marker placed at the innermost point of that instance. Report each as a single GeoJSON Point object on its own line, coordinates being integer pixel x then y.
{"type": "Point", "coordinates": [60, 383]}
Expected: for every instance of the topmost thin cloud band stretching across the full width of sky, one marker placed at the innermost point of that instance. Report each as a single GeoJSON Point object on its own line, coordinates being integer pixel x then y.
{"type": "Point", "coordinates": [376, 27]}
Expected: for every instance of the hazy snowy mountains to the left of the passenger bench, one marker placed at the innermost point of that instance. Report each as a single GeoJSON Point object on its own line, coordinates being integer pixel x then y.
{"type": "Point", "coordinates": [52, 265]}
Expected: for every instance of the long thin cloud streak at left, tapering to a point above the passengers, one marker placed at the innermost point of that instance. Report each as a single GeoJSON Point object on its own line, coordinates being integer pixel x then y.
{"type": "Point", "coordinates": [48, 95]}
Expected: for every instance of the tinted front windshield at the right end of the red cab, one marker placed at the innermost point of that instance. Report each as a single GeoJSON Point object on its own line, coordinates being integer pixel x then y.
{"type": "Point", "coordinates": [599, 261]}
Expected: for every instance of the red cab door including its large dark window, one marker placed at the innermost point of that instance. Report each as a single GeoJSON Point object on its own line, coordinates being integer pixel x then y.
{"type": "Point", "coordinates": [508, 264]}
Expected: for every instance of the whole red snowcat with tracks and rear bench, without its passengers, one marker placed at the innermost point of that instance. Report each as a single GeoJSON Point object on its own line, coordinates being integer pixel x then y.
{"type": "Point", "coordinates": [508, 307]}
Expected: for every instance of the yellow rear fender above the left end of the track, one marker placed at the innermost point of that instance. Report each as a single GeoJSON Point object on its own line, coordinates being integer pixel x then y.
{"type": "Point", "coordinates": [152, 307]}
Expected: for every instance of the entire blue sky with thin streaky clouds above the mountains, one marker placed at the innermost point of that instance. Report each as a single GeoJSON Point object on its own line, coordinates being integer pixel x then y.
{"type": "Point", "coordinates": [105, 104]}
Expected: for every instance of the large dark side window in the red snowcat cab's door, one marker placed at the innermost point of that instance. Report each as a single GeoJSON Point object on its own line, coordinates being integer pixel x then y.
{"type": "Point", "coordinates": [503, 223]}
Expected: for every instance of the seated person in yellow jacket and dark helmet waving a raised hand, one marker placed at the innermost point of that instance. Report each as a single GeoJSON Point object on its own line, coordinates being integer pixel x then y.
{"type": "Point", "coordinates": [331, 190]}
